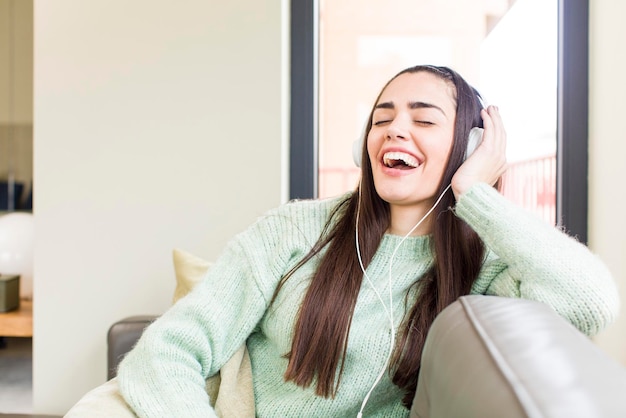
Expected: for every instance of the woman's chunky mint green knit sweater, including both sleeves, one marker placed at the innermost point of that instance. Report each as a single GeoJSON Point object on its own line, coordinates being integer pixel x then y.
{"type": "Point", "coordinates": [164, 375]}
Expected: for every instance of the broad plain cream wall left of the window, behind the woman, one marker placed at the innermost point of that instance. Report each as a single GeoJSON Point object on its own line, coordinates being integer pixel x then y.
{"type": "Point", "coordinates": [158, 124]}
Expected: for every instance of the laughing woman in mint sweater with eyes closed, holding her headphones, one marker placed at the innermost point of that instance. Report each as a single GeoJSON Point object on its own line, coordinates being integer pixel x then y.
{"type": "Point", "coordinates": [334, 297]}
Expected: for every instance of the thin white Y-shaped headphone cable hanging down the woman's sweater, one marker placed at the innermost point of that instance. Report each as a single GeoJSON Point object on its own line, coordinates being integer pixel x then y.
{"type": "Point", "coordinates": [388, 311]}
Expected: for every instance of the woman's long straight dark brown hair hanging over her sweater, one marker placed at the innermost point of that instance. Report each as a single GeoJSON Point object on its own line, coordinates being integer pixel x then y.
{"type": "Point", "coordinates": [321, 332]}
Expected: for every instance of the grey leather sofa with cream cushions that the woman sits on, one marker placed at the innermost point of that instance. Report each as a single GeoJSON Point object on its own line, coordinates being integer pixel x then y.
{"type": "Point", "coordinates": [484, 356]}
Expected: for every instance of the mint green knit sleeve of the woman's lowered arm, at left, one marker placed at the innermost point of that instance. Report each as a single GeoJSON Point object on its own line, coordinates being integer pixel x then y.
{"type": "Point", "coordinates": [165, 373]}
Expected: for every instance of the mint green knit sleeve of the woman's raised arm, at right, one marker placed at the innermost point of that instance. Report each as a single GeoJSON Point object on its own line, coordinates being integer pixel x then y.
{"type": "Point", "coordinates": [533, 260]}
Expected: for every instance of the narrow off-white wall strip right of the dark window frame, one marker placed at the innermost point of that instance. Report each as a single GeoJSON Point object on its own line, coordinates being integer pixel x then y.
{"type": "Point", "coordinates": [607, 148]}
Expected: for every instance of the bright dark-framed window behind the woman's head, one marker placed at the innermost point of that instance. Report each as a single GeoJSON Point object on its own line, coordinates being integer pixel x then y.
{"type": "Point", "coordinates": [555, 198]}
